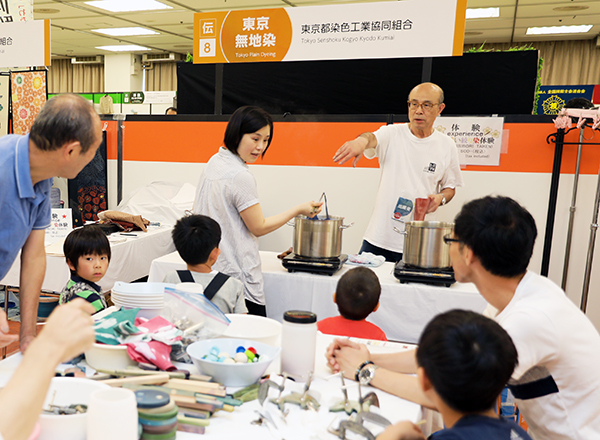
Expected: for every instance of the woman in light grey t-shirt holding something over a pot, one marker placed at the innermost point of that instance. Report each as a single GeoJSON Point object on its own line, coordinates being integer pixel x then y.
{"type": "Point", "coordinates": [227, 192]}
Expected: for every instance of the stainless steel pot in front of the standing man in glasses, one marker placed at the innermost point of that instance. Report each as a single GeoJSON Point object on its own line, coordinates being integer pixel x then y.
{"type": "Point", "coordinates": [424, 244]}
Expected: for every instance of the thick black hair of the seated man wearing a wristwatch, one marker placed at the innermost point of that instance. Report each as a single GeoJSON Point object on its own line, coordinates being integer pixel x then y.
{"type": "Point", "coordinates": [500, 232]}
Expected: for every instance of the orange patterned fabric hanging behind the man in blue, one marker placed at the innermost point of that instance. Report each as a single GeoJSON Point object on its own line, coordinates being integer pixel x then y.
{"type": "Point", "coordinates": [28, 91]}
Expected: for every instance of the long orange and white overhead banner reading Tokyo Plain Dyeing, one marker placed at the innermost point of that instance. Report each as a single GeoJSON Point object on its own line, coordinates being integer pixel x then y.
{"type": "Point", "coordinates": [410, 28]}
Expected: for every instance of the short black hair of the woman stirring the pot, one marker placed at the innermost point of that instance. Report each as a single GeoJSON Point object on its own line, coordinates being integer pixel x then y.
{"type": "Point", "coordinates": [247, 119]}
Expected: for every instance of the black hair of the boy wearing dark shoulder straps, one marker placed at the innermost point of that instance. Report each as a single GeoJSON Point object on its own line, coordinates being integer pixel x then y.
{"type": "Point", "coordinates": [195, 237]}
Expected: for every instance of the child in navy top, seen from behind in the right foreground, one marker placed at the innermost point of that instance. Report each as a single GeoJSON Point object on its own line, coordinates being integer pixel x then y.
{"type": "Point", "coordinates": [464, 361]}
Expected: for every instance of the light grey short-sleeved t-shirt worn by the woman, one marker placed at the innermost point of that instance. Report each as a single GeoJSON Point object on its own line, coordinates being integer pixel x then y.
{"type": "Point", "coordinates": [226, 188]}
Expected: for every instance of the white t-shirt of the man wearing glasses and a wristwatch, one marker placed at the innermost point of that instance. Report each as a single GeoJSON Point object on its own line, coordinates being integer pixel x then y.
{"type": "Point", "coordinates": [559, 361]}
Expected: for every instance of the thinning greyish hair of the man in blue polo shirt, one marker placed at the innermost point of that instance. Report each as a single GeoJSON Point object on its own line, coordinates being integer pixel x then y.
{"type": "Point", "coordinates": [64, 118]}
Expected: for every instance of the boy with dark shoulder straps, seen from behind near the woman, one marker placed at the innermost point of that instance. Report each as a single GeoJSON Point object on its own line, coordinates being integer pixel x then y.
{"type": "Point", "coordinates": [197, 238]}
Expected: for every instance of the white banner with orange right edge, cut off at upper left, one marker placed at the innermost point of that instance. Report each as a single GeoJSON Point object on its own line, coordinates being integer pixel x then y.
{"type": "Point", "coordinates": [25, 43]}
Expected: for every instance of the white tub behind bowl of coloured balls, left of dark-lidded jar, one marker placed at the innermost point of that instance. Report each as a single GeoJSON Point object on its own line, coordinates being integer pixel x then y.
{"type": "Point", "coordinates": [256, 328]}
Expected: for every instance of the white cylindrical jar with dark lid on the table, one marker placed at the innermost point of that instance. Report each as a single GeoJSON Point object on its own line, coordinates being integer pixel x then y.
{"type": "Point", "coordinates": [298, 341]}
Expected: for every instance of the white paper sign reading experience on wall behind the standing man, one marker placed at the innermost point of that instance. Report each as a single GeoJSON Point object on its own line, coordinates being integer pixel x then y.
{"type": "Point", "coordinates": [478, 140]}
